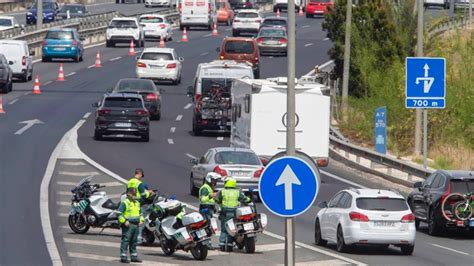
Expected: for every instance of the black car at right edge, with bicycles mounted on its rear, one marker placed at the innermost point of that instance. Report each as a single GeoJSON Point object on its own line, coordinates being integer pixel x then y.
{"type": "Point", "coordinates": [426, 198]}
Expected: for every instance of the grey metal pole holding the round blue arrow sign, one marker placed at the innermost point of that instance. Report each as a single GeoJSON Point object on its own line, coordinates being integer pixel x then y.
{"type": "Point", "coordinates": [290, 130]}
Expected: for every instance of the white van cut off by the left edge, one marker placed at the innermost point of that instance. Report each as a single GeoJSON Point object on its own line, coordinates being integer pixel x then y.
{"type": "Point", "coordinates": [19, 53]}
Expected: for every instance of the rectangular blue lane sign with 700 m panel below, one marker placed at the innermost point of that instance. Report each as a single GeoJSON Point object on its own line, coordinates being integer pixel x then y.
{"type": "Point", "coordinates": [425, 82]}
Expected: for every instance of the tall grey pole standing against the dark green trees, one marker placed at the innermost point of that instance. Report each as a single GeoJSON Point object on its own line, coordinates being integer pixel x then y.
{"type": "Point", "coordinates": [347, 57]}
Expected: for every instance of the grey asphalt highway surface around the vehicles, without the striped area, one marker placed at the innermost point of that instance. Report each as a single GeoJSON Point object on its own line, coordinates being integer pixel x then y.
{"type": "Point", "coordinates": [24, 157]}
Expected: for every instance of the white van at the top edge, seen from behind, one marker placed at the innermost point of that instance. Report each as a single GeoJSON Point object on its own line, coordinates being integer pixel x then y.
{"type": "Point", "coordinates": [197, 13]}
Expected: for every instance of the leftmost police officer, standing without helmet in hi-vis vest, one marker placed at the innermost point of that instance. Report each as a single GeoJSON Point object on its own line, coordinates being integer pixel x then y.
{"type": "Point", "coordinates": [130, 219]}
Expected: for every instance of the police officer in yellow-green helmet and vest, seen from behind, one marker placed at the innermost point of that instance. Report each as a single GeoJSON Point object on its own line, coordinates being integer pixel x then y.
{"type": "Point", "coordinates": [229, 199]}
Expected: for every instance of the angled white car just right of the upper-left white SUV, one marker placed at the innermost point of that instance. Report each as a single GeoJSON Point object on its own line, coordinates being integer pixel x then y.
{"type": "Point", "coordinates": [156, 26]}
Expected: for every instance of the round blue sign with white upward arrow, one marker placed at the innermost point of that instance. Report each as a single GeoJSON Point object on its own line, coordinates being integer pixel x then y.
{"type": "Point", "coordinates": [288, 186]}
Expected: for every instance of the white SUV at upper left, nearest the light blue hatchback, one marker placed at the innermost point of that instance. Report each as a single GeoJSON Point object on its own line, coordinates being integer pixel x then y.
{"type": "Point", "coordinates": [124, 30]}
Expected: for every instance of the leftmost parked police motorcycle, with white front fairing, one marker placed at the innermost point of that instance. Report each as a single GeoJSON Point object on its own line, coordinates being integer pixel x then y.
{"type": "Point", "coordinates": [91, 207]}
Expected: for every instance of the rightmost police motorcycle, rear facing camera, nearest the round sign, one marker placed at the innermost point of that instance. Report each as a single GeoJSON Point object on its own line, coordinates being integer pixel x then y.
{"type": "Point", "coordinates": [245, 226]}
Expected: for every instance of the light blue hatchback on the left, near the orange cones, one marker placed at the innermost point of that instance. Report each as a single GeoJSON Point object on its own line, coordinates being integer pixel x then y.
{"type": "Point", "coordinates": [62, 43]}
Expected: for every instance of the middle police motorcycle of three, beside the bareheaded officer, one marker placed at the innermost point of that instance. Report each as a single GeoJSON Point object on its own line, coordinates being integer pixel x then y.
{"type": "Point", "coordinates": [193, 236]}
